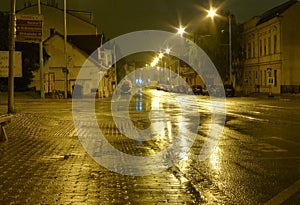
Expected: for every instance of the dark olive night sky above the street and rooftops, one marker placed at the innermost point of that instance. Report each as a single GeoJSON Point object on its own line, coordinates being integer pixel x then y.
{"type": "Point", "coordinates": [117, 17]}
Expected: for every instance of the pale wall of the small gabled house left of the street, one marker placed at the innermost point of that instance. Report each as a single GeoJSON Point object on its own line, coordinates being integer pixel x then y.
{"type": "Point", "coordinates": [76, 60]}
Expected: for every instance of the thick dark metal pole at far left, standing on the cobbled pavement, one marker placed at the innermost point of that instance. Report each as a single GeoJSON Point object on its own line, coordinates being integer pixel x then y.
{"type": "Point", "coordinates": [11, 106]}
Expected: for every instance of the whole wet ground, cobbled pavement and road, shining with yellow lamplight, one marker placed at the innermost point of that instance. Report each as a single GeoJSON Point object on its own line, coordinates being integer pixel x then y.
{"type": "Point", "coordinates": [48, 160]}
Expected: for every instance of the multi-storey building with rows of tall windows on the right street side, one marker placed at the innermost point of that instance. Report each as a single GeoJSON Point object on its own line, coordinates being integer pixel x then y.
{"type": "Point", "coordinates": [271, 46]}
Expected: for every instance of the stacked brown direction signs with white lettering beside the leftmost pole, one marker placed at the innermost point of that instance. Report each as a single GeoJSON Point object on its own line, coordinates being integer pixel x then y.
{"type": "Point", "coordinates": [29, 28]}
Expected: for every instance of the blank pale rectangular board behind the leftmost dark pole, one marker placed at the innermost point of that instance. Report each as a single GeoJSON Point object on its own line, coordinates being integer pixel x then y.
{"type": "Point", "coordinates": [4, 64]}
